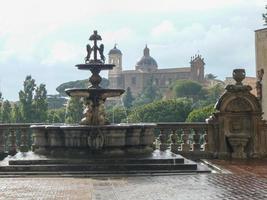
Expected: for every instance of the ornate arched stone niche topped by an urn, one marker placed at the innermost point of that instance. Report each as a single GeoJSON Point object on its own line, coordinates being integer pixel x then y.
{"type": "Point", "coordinates": [237, 120]}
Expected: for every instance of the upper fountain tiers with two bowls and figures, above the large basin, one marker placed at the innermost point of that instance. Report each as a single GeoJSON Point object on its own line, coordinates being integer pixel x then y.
{"type": "Point", "coordinates": [94, 97]}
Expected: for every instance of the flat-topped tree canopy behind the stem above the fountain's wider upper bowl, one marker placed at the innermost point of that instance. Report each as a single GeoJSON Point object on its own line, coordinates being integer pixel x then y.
{"type": "Point", "coordinates": [79, 84]}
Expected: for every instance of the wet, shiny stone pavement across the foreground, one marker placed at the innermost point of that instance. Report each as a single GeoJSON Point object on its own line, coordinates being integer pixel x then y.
{"type": "Point", "coordinates": [173, 187]}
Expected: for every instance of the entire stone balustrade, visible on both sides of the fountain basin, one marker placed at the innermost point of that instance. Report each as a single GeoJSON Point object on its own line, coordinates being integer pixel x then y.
{"type": "Point", "coordinates": [189, 139]}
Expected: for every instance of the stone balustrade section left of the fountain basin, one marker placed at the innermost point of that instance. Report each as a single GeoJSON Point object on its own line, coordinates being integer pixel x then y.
{"type": "Point", "coordinates": [15, 137]}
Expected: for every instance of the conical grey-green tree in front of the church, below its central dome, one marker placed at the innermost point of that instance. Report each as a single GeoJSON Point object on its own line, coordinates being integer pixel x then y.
{"type": "Point", "coordinates": [149, 94]}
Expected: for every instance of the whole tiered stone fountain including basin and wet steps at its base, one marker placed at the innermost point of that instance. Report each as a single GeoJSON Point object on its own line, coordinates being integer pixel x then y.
{"type": "Point", "coordinates": [94, 146]}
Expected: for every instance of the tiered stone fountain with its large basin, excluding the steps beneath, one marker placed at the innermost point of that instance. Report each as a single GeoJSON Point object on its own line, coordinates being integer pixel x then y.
{"type": "Point", "coordinates": [94, 135]}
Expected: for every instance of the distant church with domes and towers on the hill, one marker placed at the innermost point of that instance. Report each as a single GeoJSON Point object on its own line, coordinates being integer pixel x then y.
{"type": "Point", "coordinates": [146, 68]}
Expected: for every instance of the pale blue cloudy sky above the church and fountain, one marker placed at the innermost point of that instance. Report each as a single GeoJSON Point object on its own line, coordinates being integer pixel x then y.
{"type": "Point", "coordinates": [46, 38]}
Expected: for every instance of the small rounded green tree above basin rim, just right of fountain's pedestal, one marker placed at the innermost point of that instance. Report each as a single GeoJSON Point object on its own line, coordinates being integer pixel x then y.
{"type": "Point", "coordinates": [117, 114]}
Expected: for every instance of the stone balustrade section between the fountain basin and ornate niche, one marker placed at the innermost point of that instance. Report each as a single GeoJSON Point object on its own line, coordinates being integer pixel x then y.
{"type": "Point", "coordinates": [188, 139]}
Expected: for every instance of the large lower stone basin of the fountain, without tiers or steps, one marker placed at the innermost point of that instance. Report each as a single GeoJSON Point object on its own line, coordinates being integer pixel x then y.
{"type": "Point", "coordinates": [89, 141]}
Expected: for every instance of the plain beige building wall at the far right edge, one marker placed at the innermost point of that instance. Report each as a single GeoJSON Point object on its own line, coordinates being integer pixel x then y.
{"type": "Point", "coordinates": [261, 67]}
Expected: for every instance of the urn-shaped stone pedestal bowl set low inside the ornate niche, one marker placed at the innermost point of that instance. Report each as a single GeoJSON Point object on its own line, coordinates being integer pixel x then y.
{"type": "Point", "coordinates": [238, 143]}
